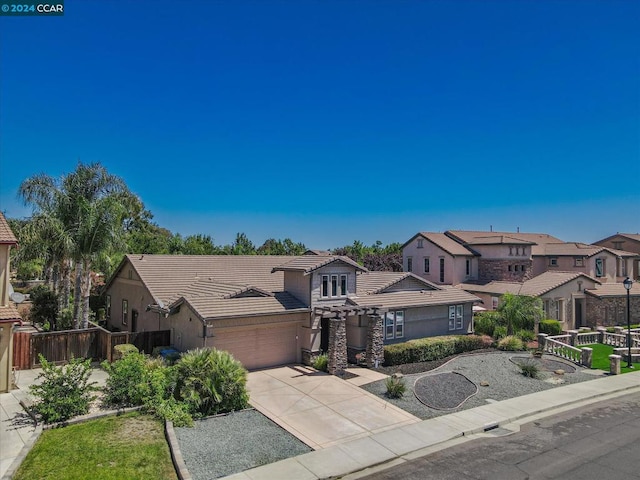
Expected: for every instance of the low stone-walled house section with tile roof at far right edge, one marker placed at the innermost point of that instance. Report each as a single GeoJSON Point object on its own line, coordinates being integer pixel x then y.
{"type": "Point", "coordinates": [607, 304]}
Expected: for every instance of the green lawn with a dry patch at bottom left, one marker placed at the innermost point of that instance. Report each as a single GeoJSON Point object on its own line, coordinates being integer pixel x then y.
{"type": "Point", "coordinates": [130, 446]}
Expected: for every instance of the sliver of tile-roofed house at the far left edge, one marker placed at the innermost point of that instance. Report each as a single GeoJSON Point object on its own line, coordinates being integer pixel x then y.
{"type": "Point", "coordinates": [9, 316]}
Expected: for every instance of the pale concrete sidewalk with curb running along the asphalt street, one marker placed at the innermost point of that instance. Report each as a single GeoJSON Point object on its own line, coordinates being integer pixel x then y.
{"type": "Point", "coordinates": [419, 439]}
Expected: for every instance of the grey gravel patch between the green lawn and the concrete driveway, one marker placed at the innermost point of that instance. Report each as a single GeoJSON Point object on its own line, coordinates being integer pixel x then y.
{"type": "Point", "coordinates": [228, 444]}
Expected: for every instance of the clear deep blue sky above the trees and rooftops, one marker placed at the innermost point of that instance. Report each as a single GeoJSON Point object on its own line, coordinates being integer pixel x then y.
{"type": "Point", "coordinates": [329, 121]}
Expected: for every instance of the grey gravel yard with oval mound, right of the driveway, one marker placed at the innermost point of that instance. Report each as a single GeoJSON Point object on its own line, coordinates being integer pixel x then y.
{"type": "Point", "coordinates": [496, 376]}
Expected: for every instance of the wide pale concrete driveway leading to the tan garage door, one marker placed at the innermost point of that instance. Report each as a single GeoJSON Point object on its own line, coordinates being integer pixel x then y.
{"type": "Point", "coordinates": [320, 409]}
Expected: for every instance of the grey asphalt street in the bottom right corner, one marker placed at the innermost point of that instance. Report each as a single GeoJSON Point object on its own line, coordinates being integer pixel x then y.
{"type": "Point", "coordinates": [598, 442]}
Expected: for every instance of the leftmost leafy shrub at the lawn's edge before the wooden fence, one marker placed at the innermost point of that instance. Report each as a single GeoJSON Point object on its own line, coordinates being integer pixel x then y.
{"type": "Point", "coordinates": [65, 392]}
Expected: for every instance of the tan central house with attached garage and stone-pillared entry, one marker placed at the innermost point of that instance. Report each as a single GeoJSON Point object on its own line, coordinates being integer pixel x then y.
{"type": "Point", "coordinates": [271, 310]}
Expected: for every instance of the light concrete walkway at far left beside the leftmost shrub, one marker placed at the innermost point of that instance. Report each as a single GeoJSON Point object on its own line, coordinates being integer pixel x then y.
{"type": "Point", "coordinates": [17, 428]}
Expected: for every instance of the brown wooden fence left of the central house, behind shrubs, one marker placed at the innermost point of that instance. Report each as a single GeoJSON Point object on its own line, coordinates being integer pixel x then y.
{"type": "Point", "coordinates": [95, 343]}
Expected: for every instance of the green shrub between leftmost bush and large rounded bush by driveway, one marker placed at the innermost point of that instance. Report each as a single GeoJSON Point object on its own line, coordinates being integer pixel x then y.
{"type": "Point", "coordinates": [125, 385]}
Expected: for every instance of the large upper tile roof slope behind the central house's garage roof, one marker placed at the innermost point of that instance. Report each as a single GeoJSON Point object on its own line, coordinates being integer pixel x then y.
{"type": "Point", "coordinates": [166, 276]}
